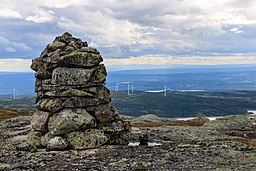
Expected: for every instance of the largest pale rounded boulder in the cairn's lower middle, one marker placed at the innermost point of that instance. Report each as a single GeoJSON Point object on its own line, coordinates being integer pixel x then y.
{"type": "Point", "coordinates": [69, 120]}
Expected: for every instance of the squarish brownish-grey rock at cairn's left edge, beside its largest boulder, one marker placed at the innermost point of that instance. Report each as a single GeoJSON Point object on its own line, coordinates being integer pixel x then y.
{"type": "Point", "coordinates": [39, 120]}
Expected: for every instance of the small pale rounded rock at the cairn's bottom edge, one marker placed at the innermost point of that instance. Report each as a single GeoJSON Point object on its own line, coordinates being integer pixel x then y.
{"type": "Point", "coordinates": [57, 143]}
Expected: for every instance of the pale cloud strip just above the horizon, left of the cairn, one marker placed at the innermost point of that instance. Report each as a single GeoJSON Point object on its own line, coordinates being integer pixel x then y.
{"type": "Point", "coordinates": [15, 65]}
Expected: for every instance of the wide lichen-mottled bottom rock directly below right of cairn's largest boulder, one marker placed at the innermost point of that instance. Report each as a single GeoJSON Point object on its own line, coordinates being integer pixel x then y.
{"type": "Point", "coordinates": [90, 138]}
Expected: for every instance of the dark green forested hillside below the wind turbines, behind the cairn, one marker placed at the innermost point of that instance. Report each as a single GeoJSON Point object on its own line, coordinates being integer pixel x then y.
{"type": "Point", "coordinates": [175, 104]}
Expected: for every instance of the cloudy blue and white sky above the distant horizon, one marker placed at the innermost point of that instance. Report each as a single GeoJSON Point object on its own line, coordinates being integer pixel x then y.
{"type": "Point", "coordinates": [132, 34]}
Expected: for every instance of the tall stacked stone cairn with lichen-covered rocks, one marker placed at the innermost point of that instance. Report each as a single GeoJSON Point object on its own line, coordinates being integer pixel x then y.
{"type": "Point", "coordinates": [73, 105]}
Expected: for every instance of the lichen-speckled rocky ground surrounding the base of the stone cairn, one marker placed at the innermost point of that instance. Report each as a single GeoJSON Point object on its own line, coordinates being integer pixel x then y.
{"type": "Point", "coordinates": [225, 144]}
